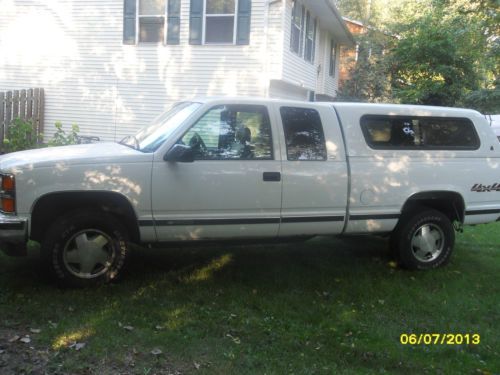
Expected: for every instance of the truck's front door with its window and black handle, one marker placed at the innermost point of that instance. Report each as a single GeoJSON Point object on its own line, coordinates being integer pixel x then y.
{"type": "Point", "coordinates": [233, 187]}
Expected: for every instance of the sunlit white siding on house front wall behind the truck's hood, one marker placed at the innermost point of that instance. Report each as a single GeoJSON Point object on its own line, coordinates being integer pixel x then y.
{"type": "Point", "coordinates": [74, 49]}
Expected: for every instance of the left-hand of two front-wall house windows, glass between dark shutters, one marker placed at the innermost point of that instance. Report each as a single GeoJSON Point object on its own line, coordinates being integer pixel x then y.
{"type": "Point", "coordinates": [151, 21]}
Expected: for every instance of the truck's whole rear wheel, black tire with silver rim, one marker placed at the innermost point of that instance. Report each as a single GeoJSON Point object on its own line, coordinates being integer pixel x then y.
{"type": "Point", "coordinates": [423, 240]}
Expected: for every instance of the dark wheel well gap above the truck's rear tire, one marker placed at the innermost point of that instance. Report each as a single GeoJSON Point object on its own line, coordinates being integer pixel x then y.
{"type": "Point", "coordinates": [449, 203]}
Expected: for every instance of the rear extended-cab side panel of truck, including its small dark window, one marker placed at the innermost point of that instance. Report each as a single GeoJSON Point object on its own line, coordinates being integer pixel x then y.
{"type": "Point", "coordinates": [314, 170]}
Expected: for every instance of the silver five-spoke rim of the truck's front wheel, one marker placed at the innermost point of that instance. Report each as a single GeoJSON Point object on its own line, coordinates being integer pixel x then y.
{"type": "Point", "coordinates": [88, 254]}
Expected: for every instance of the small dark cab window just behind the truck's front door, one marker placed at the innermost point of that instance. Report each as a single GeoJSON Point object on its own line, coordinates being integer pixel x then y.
{"type": "Point", "coordinates": [303, 134]}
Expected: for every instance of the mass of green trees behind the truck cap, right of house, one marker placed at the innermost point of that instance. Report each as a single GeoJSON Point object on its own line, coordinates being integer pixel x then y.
{"type": "Point", "coordinates": [444, 52]}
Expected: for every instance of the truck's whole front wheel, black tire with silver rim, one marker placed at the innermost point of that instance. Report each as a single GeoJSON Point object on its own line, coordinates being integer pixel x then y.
{"type": "Point", "coordinates": [85, 248]}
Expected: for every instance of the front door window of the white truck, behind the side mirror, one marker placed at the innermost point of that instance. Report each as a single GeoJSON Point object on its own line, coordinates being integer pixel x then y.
{"type": "Point", "coordinates": [231, 132]}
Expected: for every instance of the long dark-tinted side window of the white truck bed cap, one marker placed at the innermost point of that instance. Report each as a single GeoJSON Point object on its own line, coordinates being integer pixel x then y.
{"type": "Point", "coordinates": [435, 133]}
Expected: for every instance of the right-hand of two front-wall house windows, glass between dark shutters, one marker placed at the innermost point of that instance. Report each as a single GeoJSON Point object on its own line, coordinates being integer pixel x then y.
{"type": "Point", "coordinates": [220, 16]}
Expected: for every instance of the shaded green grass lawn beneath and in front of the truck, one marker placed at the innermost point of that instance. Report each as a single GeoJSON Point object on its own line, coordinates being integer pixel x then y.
{"type": "Point", "coordinates": [326, 306]}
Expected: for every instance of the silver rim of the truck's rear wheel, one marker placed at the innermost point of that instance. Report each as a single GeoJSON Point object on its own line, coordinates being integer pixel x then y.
{"type": "Point", "coordinates": [427, 242]}
